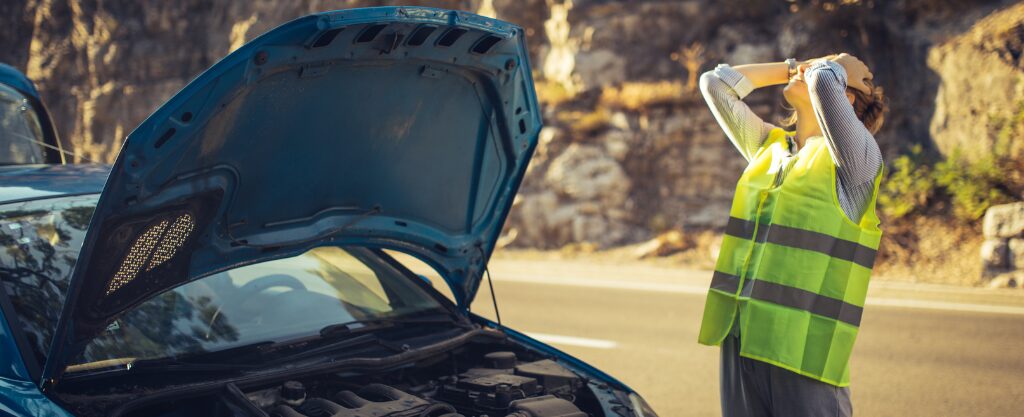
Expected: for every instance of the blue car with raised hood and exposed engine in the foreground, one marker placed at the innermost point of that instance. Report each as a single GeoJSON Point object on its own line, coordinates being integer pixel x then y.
{"type": "Point", "coordinates": [237, 259]}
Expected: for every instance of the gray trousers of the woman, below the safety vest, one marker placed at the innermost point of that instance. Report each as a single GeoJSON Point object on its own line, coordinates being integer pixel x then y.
{"type": "Point", "coordinates": [754, 389]}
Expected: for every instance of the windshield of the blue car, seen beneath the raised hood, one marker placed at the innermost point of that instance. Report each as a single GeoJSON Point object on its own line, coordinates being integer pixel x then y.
{"type": "Point", "coordinates": [277, 301]}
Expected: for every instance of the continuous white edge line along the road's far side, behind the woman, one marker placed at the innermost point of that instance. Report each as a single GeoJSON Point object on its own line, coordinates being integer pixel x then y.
{"type": "Point", "coordinates": [701, 290]}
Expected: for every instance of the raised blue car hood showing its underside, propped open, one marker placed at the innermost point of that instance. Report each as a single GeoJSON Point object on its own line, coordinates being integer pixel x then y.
{"type": "Point", "coordinates": [399, 128]}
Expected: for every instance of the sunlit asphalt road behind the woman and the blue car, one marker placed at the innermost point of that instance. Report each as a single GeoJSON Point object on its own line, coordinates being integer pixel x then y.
{"type": "Point", "coordinates": [923, 351]}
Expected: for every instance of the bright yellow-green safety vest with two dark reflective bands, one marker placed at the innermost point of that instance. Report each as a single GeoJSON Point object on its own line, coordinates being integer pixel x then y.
{"type": "Point", "coordinates": [793, 265]}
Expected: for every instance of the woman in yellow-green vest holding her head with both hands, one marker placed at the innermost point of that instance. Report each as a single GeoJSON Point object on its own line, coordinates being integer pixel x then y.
{"type": "Point", "coordinates": [790, 284]}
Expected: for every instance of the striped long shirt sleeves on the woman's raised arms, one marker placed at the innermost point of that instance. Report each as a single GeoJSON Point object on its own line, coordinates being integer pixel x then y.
{"type": "Point", "coordinates": [854, 149]}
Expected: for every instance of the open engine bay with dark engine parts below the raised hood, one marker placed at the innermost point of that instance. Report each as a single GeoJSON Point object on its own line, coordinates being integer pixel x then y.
{"type": "Point", "coordinates": [481, 379]}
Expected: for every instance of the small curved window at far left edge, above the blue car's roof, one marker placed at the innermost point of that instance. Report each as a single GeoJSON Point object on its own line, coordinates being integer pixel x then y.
{"type": "Point", "coordinates": [21, 135]}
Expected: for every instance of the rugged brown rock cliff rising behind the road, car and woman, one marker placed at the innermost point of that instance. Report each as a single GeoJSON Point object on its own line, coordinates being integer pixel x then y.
{"type": "Point", "coordinates": [618, 174]}
